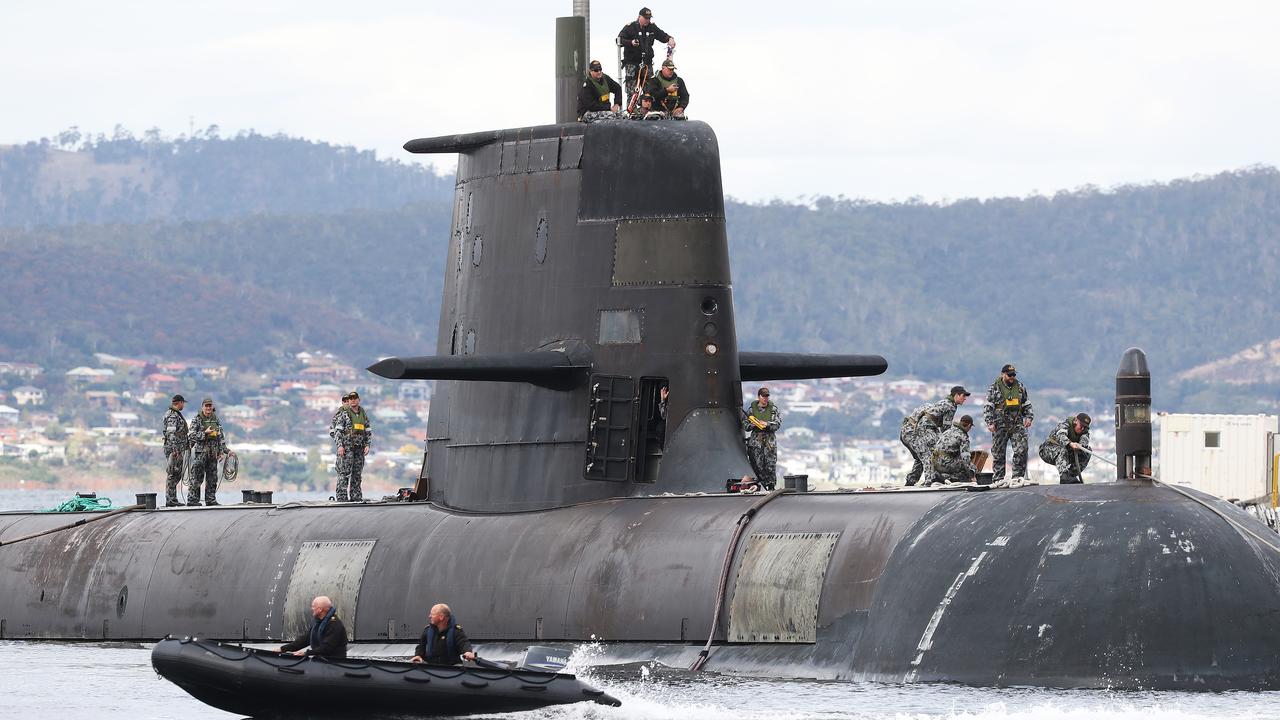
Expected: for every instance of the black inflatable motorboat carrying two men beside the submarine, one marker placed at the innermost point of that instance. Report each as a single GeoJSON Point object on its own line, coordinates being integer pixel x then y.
{"type": "Point", "coordinates": [269, 685]}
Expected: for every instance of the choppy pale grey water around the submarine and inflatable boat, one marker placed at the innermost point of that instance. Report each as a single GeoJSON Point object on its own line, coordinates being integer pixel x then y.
{"type": "Point", "coordinates": [115, 681]}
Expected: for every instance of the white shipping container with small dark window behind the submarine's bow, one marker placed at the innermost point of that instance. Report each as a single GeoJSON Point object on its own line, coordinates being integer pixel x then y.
{"type": "Point", "coordinates": [1224, 455]}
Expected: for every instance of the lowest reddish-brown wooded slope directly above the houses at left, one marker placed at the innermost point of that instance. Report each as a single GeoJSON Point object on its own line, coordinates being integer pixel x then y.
{"type": "Point", "coordinates": [76, 302]}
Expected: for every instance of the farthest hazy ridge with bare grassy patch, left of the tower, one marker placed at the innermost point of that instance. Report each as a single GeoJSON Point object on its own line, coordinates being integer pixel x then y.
{"type": "Point", "coordinates": [79, 179]}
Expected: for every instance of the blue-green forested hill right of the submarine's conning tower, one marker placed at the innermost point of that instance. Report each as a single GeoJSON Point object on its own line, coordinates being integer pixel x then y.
{"type": "Point", "coordinates": [1059, 285]}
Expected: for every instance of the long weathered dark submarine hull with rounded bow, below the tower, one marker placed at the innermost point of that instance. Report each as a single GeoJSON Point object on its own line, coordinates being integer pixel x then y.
{"type": "Point", "coordinates": [1117, 586]}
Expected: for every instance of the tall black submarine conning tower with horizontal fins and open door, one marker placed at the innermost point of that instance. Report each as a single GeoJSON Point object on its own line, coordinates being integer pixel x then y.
{"type": "Point", "coordinates": [588, 270]}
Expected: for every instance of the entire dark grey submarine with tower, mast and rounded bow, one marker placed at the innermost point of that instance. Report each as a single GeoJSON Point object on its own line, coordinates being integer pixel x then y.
{"type": "Point", "coordinates": [588, 268]}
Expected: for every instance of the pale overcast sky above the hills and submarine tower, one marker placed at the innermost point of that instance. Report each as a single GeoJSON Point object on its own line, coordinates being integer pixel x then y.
{"type": "Point", "coordinates": [880, 101]}
